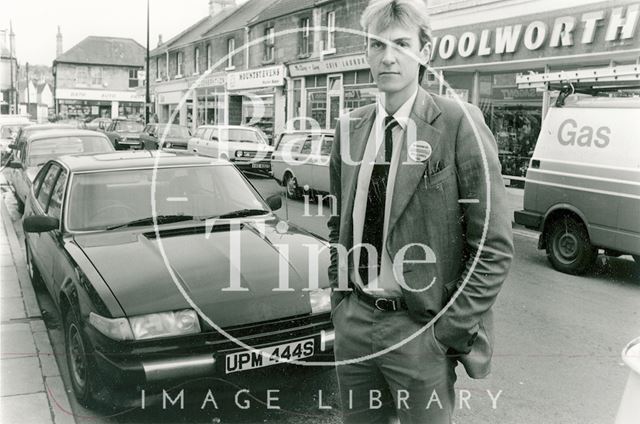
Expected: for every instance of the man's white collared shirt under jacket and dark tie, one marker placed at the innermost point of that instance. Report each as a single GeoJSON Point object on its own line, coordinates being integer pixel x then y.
{"type": "Point", "coordinates": [374, 153]}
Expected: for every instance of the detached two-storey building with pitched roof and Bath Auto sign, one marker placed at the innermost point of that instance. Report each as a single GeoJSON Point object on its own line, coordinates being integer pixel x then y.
{"type": "Point", "coordinates": [98, 77]}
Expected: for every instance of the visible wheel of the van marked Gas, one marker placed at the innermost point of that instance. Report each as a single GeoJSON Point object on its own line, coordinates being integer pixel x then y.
{"type": "Point", "coordinates": [568, 246]}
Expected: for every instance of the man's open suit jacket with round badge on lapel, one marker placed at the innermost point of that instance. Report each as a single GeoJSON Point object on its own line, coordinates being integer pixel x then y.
{"type": "Point", "coordinates": [454, 202]}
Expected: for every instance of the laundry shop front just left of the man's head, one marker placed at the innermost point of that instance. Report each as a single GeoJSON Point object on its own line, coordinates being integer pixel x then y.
{"type": "Point", "coordinates": [319, 91]}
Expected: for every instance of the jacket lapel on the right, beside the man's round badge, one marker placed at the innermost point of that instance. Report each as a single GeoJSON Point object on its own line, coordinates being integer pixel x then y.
{"type": "Point", "coordinates": [410, 173]}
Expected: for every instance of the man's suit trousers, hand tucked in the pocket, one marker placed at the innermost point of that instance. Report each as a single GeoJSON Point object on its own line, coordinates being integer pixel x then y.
{"type": "Point", "coordinates": [412, 383]}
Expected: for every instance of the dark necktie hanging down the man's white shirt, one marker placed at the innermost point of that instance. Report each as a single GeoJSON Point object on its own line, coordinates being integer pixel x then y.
{"type": "Point", "coordinates": [374, 215]}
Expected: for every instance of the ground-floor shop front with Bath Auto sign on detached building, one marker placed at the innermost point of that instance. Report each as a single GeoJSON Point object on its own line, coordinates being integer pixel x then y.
{"type": "Point", "coordinates": [85, 104]}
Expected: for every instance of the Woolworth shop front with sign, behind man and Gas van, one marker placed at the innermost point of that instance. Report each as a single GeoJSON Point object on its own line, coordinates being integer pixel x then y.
{"type": "Point", "coordinates": [480, 61]}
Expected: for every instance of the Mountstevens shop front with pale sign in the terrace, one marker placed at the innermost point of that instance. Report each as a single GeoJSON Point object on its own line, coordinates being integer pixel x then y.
{"type": "Point", "coordinates": [256, 98]}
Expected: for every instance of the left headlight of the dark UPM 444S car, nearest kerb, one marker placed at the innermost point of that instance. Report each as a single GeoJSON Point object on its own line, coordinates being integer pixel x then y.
{"type": "Point", "coordinates": [165, 324]}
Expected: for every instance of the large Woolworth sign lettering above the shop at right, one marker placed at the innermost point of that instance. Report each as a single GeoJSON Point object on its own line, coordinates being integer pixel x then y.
{"type": "Point", "coordinates": [574, 31]}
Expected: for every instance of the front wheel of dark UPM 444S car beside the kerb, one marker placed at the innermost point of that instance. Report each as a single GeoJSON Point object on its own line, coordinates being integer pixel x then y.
{"type": "Point", "coordinates": [80, 361]}
